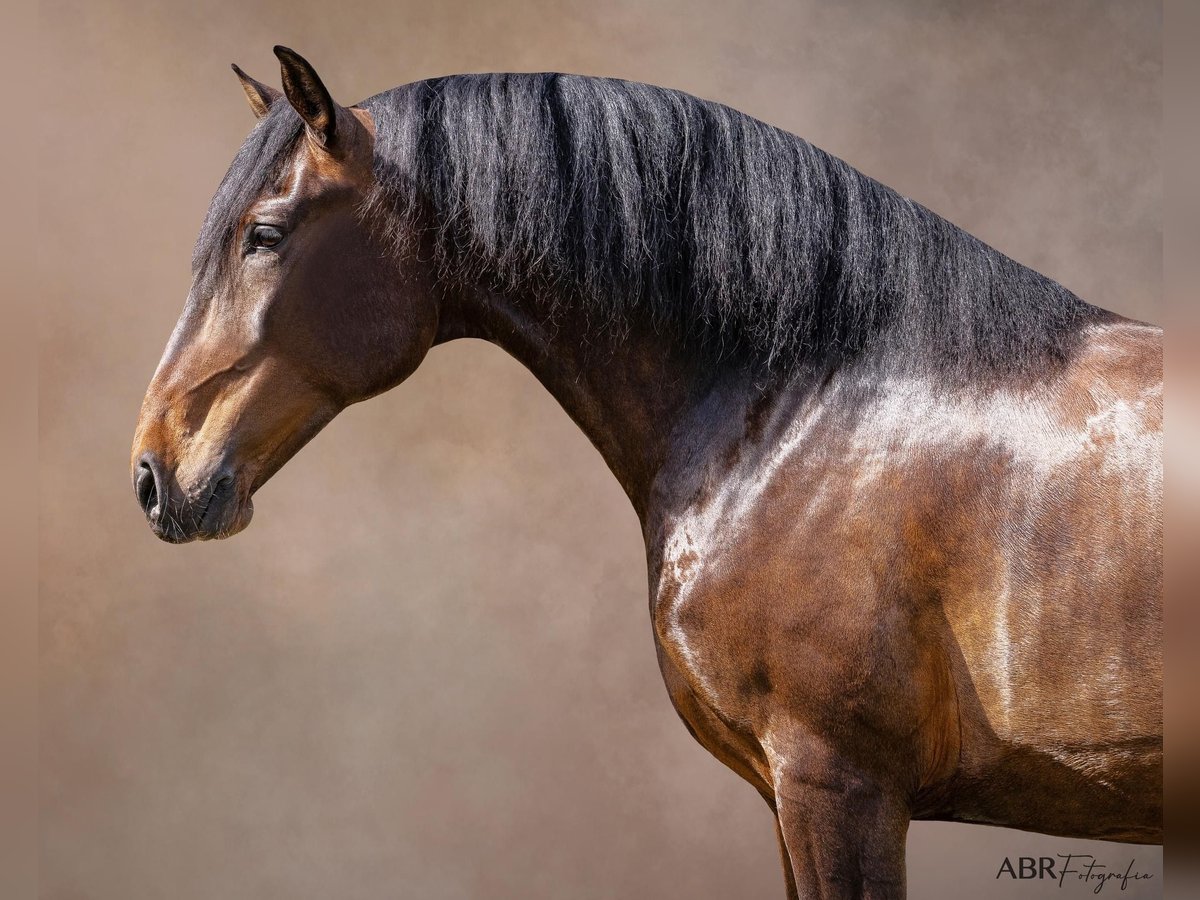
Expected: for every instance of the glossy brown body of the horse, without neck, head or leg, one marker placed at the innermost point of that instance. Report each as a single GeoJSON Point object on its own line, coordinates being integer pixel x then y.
{"type": "Point", "coordinates": [953, 595]}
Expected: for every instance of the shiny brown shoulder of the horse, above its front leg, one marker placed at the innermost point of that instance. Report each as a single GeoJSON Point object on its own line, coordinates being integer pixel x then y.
{"type": "Point", "coordinates": [782, 595]}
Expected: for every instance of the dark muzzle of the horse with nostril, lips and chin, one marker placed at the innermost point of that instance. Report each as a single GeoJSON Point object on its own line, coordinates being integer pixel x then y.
{"type": "Point", "coordinates": [215, 508]}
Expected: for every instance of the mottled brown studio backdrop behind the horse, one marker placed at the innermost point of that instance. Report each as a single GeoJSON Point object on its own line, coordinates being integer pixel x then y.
{"type": "Point", "coordinates": [427, 670]}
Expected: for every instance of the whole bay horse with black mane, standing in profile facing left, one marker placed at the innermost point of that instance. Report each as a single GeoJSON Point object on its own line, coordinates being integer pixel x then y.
{"type": "Point", "coordinates": [902, 496]}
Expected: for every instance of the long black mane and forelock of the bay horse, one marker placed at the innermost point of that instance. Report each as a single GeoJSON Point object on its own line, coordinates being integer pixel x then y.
{"type": "Point", "coordinates": [745, 238]}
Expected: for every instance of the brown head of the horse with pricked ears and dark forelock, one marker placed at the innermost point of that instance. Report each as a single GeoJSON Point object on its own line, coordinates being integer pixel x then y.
{"type": "Point", "coordinates": [298, 308]}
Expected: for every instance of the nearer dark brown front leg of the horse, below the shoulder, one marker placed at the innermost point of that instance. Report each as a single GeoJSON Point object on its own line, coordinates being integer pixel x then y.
{"type": "Point", "coordinates": [843, 832]}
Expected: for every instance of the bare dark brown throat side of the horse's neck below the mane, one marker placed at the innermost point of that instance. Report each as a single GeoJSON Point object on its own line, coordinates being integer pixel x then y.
{"type": "Point", "coordinates": [628, 393]}
